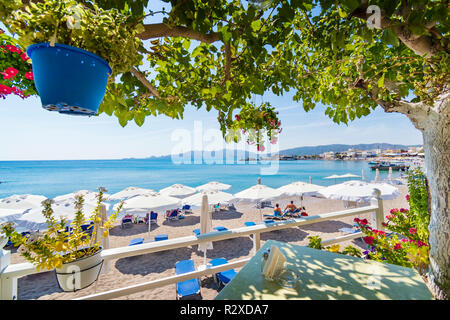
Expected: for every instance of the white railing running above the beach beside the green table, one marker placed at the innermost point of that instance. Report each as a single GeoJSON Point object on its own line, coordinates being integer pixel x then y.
{"type": "Point", "coordinates": [10, 273]}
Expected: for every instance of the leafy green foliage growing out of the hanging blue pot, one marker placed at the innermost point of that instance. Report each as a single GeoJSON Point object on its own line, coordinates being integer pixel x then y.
{"type": "Point", "coordinates": [110, 34]}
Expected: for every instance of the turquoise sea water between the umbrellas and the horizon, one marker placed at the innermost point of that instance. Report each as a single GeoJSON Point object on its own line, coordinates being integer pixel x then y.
{"type": "Point", "coordinates": [53, 178]}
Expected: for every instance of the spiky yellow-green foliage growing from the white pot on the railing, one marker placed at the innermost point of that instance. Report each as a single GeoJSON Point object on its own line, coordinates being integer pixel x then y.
{"type": "Point", "coordinates": [57, 245]}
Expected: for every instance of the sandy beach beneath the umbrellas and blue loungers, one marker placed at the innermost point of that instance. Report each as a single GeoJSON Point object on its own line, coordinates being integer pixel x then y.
{"type": "Point", "coordinates": [139, 269]}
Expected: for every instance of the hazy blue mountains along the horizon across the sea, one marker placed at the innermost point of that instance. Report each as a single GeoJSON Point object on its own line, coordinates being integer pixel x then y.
{"type": "Point", "coordinates": [299, 151]}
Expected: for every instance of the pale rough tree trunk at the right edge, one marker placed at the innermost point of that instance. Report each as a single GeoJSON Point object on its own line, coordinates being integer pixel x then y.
{"type": "Point", "coordinates": [436, 135]}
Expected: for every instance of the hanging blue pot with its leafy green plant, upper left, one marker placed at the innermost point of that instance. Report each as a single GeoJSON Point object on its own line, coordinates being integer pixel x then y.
{"type": "Point", "coordinates": [75, 48]}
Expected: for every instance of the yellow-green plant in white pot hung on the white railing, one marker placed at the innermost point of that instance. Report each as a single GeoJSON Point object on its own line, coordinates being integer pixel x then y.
{"type": "Point", "coordinates": [73, 251]}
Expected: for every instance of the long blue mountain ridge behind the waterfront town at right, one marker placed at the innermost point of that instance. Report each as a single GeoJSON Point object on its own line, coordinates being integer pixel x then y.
{"type": "Point", "coordinates": [315, 150]}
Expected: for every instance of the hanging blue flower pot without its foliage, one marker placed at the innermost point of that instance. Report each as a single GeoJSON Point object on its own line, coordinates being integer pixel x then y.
{"type": "Point", "coordinates": [68, 79]}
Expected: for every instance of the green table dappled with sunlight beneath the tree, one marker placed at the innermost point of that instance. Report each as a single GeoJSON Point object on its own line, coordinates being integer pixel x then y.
{"type": "Point", "coordinates": [326, 276]}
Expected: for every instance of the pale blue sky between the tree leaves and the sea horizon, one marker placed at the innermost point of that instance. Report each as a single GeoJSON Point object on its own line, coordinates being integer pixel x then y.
{"type": "Point", "coordinates": [29, 132]}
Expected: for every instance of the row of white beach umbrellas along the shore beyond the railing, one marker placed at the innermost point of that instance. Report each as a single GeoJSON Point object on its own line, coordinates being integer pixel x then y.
{"type": "Point", "coordinates": [26, 210]}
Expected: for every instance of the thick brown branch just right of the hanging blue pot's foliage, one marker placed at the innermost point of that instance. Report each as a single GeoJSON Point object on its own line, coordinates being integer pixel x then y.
{"type": "Point", "coordinates": [157, 30]}
